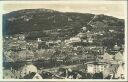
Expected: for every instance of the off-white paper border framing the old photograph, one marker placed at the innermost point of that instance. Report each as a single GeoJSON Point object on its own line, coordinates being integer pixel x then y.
{"type": "Point", "coordinates": [57, 2]}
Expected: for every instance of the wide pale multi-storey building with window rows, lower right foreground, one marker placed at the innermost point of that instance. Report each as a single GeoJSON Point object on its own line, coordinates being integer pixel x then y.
{"type": "Point", "coordinates": [95, 67]}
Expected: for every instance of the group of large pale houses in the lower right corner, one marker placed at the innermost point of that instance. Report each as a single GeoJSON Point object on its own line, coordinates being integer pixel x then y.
{"type": "Point", "coordinates": [111, 65]}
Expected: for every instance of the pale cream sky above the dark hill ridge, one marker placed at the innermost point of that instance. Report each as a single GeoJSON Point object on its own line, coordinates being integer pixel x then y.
{"type": "Point", "coordinates": [111, 8]}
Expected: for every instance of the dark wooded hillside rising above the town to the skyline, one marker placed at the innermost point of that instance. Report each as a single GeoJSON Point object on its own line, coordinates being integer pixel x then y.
{"type": "Point", "coordinates": [40, 23]}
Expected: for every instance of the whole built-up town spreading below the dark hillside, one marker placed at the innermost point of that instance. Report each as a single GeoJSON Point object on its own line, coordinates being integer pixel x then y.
{"type": "Point", "coordinates": [61, 59]}
